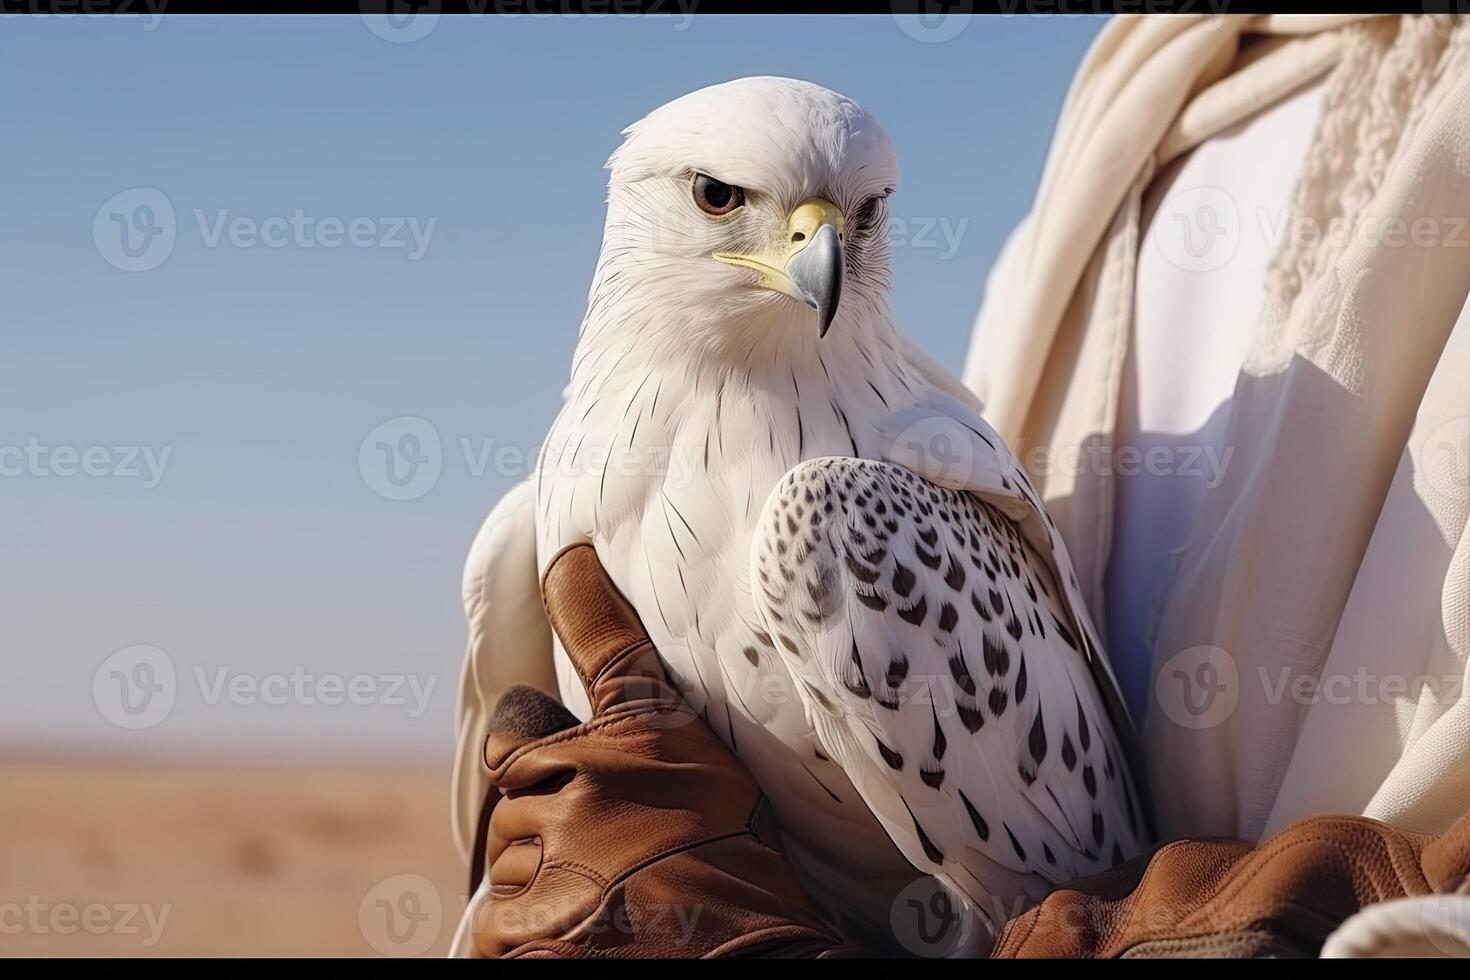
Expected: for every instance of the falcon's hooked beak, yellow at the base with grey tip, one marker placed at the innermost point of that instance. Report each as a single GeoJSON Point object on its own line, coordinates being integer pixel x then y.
{"type": "Point", "coordinates": [809, 267]}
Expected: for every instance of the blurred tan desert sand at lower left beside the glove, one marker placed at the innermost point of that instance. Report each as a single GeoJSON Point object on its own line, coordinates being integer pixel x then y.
{"type": "Point", "coordinates": [226, 860]}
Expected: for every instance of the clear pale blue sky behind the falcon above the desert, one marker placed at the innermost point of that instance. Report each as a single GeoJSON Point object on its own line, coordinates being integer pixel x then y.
{"type": "Point", "coordinates": [180, 447]}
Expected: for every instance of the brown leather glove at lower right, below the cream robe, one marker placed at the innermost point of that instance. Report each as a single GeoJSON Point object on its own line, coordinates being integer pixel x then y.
{"type": "Point", "coordinates": [1231, 898]}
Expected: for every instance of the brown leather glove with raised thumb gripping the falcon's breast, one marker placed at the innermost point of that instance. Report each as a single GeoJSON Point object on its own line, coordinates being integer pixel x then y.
{"type": "Point", "coordinates": [637, 834]}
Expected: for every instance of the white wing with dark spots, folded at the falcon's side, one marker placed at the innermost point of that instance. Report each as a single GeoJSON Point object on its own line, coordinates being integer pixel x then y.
{"type": "Point", "coordinates": [943, 669]}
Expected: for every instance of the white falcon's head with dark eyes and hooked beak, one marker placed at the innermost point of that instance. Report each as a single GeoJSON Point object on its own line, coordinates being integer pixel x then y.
{"type": "Point", "coordinates": [753, 208]}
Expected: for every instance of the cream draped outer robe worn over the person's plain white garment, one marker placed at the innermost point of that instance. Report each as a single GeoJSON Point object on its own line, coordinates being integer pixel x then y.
{"type": "Point", "coordinates": [1324, 602]}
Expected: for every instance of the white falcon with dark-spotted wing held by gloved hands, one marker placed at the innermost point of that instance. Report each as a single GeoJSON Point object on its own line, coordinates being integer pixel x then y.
{"type": "Point", "coordinates": [839, 559]}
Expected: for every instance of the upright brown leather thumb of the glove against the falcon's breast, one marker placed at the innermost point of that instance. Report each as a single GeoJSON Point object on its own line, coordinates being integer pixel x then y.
{"type": "Point", "coordinates": [600, 633]}
